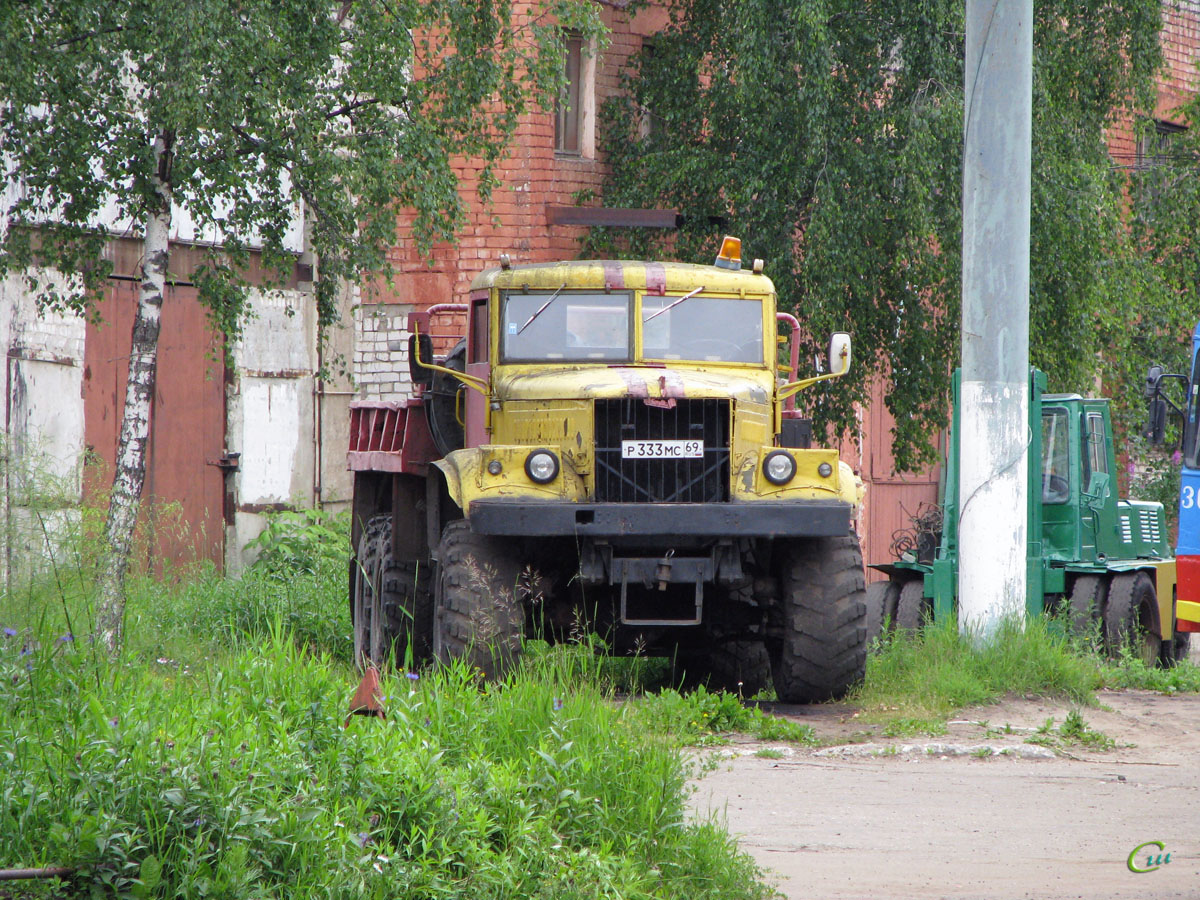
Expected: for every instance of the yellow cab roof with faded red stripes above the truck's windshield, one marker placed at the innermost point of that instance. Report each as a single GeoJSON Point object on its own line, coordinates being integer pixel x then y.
{"type": "Point", "coordinates": [625, 275]}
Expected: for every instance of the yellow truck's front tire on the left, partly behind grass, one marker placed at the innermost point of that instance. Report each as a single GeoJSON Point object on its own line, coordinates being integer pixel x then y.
{"type": "Point", "coordinates": [478, 615]}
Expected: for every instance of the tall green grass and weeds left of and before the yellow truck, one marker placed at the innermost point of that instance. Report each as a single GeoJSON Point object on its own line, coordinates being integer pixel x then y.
{"type": "Point", "coordinates": [212, 761]}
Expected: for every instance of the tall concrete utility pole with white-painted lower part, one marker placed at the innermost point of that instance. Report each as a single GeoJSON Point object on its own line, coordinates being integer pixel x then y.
{"type": "Point", "coordinates": [994, 407]}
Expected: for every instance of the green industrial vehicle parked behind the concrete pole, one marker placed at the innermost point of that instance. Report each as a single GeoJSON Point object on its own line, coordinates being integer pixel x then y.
{"type": "Point", "coordinates": [1091, 556]}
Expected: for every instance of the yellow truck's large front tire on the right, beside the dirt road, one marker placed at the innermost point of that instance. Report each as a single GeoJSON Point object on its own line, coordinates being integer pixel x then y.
{"type": "Point", "coordinates": [823, 597]}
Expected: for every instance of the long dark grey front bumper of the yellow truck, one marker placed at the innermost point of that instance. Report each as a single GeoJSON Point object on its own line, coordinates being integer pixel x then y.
{"type": "Point", "coordinates": [770, 519]}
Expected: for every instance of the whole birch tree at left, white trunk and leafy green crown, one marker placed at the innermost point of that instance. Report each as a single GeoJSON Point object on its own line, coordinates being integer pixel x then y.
{"type": "Point", "coordinates": [245, 115]}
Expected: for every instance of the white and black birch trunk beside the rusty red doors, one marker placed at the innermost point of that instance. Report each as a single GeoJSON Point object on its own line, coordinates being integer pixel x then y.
{"type": "Point", "coordinates": [131, 448]}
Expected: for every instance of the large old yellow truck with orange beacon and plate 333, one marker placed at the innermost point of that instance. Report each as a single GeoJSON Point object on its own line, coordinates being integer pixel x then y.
{"type": "Point", "coordinates": [613, 448]}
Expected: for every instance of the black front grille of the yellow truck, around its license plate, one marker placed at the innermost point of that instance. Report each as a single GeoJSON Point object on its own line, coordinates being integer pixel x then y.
{"type": "Point", "coordinates": [703, 481]}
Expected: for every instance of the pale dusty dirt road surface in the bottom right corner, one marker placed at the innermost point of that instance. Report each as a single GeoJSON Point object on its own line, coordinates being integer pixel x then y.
{"type": "Point", "coordinates": [977, 813]}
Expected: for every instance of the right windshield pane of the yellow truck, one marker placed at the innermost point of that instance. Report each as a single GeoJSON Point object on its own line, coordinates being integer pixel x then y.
{"type": "Point", "coordinates": [703, 328]}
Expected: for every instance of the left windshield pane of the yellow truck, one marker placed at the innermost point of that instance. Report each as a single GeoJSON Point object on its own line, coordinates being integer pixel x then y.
{"type": "Point", "coordinates": [557, 326]}
